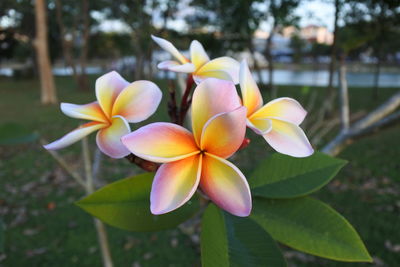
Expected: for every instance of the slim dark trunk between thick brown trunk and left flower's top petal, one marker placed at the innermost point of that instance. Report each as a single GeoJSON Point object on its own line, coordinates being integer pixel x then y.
{"type": "Point", "coordinates": [83, 81]}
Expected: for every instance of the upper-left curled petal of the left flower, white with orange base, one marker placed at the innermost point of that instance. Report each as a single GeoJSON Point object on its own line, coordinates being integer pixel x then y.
{"type": "Point", "coordinates": [91, 111]}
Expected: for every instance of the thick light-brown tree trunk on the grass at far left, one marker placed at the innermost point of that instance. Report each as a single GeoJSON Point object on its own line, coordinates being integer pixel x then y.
{"type": "Point", "coordinates": [48, 89]}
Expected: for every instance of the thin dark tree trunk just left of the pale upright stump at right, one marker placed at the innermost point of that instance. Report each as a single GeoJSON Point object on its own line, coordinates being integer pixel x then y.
{"type": "Point", "coordinates": [330, 92]}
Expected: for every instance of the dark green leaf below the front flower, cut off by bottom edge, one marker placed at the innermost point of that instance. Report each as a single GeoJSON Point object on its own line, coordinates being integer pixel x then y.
{"type": "Point", "coordinates": [227, 240]}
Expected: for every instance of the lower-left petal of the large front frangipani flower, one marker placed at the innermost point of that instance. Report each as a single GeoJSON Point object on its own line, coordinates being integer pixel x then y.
{"type": "Point", "coordinates": [174, 184]}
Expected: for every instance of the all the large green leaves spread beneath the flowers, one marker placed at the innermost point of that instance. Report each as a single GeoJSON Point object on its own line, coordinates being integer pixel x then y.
{"type": "Point", "coordinates": [279, 209]}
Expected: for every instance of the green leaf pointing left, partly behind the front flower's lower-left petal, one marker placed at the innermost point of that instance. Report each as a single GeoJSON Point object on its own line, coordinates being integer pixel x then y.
{"type": "Point", "coordinates": [126, 204]}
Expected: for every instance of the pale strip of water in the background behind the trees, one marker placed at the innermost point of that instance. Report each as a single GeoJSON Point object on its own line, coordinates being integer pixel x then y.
{"type": "Point", "coordinates": [281, 77]}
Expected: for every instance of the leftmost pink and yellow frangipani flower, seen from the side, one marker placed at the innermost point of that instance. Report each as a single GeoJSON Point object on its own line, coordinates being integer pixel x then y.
{"type": "Point", "coordinates": [118, 103]}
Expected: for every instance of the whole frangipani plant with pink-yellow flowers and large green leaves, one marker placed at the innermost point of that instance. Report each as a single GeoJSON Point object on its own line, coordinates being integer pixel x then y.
{"type": "Point", "coordinates": [242, 215]}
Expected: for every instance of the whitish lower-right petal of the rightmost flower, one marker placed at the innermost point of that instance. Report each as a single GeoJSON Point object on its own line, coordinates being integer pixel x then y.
{"type": "Point", "coordinates": [288, 138]}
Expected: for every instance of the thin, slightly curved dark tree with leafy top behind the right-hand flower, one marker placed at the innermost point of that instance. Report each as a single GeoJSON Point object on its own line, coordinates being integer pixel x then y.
{"type": "Point", "coordinates": [281, 14]}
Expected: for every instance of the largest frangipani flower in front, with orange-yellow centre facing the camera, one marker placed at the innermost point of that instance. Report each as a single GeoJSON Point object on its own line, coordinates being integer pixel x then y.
{"type": "Point", "coordinates": [198, 159]}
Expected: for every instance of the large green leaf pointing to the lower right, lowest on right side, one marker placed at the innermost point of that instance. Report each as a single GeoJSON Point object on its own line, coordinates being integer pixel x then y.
{"type": "Point", "coordinates": [311, 226]}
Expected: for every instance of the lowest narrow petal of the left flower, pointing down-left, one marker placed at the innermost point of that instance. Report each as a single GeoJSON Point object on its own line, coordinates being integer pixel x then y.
{"type": "Point", "coordinates": [75, 135]}
